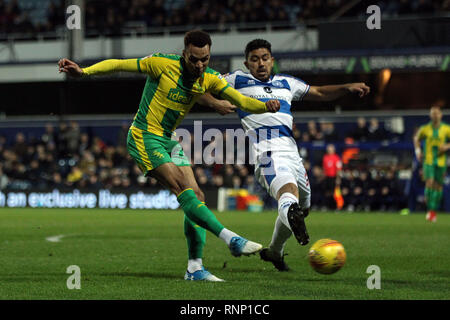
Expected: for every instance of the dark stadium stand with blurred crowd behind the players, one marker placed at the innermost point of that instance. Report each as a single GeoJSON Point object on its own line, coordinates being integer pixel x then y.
{"type": "Point", "coordinates": [410, 30]}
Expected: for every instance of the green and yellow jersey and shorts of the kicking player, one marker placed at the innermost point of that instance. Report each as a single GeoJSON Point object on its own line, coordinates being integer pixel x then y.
{"type": "Point", "coordinates": [169, 94]}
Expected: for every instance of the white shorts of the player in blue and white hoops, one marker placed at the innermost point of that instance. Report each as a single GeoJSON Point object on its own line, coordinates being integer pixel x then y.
{"type": "Point", "coordinates": [273, 170]}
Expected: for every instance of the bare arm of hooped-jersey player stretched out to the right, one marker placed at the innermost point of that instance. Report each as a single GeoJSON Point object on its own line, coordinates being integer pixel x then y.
{"type": "Point", "coordinates": [333, 92]}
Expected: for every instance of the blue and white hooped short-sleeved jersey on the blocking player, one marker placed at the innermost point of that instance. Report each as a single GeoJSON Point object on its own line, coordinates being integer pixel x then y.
{"type": "Point", "coordinates": [269, 131]}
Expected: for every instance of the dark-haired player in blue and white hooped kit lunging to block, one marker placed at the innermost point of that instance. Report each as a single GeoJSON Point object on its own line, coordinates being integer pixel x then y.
{"type": "Point", "coordinates": [278, 166]}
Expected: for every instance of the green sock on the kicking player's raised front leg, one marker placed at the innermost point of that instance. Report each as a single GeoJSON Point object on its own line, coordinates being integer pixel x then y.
{"type": "Point", "coordinates": [198, 212]}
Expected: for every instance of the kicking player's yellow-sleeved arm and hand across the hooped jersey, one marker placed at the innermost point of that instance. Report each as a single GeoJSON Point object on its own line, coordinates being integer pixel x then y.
{"type": "Point", "coordinates": [249, 104]}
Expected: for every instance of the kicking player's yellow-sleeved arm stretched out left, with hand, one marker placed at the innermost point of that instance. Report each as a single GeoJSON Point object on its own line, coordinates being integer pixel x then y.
{"type": "Point", "coordinates": [103, 67]}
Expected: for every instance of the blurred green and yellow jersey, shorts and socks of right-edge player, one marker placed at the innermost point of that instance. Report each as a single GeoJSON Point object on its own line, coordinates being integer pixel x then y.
{"type": "Point", "coordinates": [434, 162]}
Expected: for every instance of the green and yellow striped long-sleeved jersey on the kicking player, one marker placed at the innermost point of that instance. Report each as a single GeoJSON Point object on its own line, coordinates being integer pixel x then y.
{"type": "Point", "coordinates": [170, 91]}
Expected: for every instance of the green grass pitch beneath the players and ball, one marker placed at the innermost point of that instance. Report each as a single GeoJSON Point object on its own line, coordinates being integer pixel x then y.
{"type": "Point", "coordinates": [125, 254]}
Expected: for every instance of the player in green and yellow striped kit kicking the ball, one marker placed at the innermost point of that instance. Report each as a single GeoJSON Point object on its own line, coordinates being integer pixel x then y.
{"type": "Point", "coordinates": [174, 83]}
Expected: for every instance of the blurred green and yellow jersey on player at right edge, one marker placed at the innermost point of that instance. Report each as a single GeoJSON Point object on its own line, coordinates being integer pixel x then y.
{"type": "Point", "coordinates": [433, 138]}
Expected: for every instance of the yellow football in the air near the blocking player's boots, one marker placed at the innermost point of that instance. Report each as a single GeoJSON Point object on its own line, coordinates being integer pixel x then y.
{"type": "Point", "coordinates": [327, 256]}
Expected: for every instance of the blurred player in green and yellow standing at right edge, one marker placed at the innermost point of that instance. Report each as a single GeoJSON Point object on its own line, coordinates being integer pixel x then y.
{"type": "Point", "coordinates": [435, 135]}
